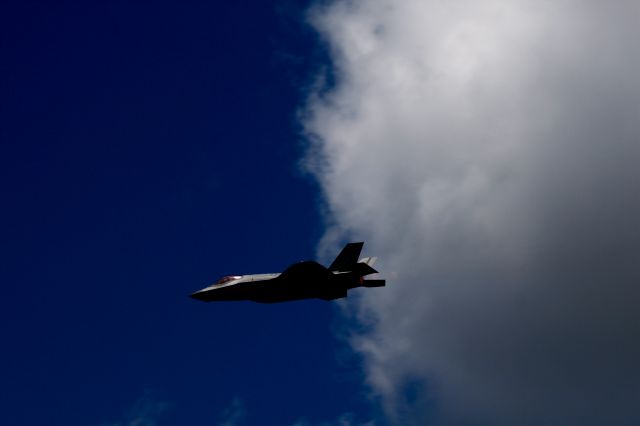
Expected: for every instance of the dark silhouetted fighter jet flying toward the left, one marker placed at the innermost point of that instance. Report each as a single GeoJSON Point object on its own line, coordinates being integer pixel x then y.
{"type": "Point", "coordinates": [303, 280]}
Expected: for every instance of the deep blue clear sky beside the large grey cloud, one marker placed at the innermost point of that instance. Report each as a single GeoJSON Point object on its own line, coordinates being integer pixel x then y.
{"type": "Point", "coordinates": [148, 148]}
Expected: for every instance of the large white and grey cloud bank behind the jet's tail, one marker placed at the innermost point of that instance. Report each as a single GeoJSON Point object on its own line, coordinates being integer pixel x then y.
{"type": "Point", "coordinates": [488, 152]}
